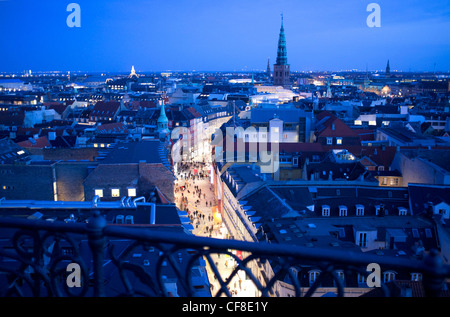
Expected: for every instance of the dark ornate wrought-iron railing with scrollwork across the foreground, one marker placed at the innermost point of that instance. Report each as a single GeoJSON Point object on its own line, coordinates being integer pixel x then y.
{"type": "Point", "coordinates": [34, 261]}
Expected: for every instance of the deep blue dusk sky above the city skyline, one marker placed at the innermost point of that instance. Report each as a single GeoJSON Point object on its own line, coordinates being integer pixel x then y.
{"type": "Point", "coordinates": [156, 35]}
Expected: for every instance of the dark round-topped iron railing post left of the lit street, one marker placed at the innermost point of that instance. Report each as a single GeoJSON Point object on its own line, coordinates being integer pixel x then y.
{"type": "Point", "coordinates": [95, 226]}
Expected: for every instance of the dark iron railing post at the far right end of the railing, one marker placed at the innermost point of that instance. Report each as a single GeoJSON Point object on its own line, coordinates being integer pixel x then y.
{"type": "Point", "coordinates": [432, 281]}
